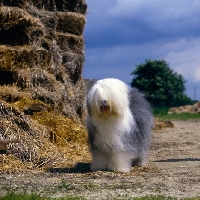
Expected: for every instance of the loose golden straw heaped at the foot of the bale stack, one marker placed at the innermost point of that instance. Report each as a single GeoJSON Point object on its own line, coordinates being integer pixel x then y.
{"type": "Point", "coordinates": [48, 139]}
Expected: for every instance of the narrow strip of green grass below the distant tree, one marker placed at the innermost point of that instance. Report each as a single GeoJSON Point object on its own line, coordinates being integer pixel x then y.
{"type": "Point", "coordinates": [162, 112]}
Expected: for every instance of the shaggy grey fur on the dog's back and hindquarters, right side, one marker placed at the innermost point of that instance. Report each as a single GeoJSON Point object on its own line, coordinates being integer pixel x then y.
{"type": "Point", "coordinates": [141, 136]}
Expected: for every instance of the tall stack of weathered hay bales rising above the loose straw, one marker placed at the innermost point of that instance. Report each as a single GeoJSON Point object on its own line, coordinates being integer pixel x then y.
{"type": "Point", "coordinates": [42, 51]}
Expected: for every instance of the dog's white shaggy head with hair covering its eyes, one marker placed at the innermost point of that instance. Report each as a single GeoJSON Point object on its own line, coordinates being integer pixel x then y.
{"type": "Point", "coordinates": [108, 97]}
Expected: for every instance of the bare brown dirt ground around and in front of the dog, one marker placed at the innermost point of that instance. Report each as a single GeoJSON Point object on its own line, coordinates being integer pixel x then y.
{"type": "Point", "coordinates": [173, 169]}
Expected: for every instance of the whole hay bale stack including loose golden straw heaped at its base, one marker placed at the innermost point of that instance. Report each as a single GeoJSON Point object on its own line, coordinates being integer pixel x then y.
{"type": "Point", "coordinates": [42, 92]}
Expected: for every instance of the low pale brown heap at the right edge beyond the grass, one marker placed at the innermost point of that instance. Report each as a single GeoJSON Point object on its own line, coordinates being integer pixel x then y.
{"type": "Point", "coordinates": [186, 109]}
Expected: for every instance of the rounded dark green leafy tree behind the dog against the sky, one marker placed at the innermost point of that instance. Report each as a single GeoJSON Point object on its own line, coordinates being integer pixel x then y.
{"type": "Point", "coordinates": [160, 83]}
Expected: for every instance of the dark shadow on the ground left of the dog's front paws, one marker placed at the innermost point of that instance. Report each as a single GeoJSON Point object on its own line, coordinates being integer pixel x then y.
{"type": "Point", "coordinates": [78, 168]}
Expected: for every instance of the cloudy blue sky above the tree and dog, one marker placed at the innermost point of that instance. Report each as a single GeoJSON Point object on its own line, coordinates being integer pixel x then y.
{"type": "Point", "coordinates": [120, 34]}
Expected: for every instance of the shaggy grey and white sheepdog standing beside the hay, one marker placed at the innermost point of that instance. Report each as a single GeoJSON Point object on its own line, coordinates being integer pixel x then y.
{"type": "Point", "coordinates": [119, 126]}
